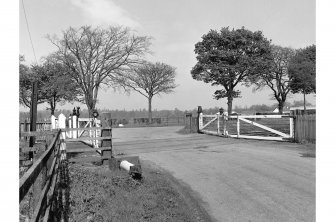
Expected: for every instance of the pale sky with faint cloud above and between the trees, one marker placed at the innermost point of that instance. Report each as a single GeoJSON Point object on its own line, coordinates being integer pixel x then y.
{"type": "Point", "coordinates": [175, 26]}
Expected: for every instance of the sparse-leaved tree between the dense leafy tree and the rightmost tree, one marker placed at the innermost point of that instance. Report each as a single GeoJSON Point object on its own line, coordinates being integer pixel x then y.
{"type": "Point", "coordinates": [276, 77]}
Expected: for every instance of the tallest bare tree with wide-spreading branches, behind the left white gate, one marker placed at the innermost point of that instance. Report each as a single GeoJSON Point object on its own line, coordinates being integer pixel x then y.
{"type": "Point", "coordinates": [95, 55]}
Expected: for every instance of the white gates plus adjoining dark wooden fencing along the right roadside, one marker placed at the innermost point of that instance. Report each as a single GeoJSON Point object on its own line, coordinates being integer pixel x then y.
{"type": "Point", "coordinates": [298, 128]}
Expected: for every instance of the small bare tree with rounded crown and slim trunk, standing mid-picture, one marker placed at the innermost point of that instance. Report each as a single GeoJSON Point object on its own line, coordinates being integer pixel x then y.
{"type": "Point", "coordinates": [150, 79]}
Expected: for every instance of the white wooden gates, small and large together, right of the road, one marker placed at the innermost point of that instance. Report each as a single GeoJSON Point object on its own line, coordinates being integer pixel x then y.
{"type": "Point", "coordinates": [262, 127]}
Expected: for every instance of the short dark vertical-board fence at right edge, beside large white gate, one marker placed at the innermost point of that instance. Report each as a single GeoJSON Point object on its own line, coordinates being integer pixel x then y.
{"type": "Point", "coordinates": [305, 128]}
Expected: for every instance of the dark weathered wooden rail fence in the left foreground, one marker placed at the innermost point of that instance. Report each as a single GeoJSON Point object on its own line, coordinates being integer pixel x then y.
{"type": "Point", "coordinates": [45, 172]}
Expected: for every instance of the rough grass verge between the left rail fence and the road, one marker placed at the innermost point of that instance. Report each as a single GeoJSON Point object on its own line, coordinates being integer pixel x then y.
{"type": "Point", "coordinates": [98, 194]}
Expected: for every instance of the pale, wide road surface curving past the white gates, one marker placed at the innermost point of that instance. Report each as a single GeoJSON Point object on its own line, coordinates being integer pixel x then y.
{"type": "Point", "coordinates": [238, 180]}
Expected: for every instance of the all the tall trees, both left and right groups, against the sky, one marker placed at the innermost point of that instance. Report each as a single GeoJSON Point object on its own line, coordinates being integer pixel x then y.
{"type": "Point", "coordinates": [90, 58]}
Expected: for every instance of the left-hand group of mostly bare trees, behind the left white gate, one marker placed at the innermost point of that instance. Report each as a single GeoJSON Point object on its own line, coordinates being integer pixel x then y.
{"type": "Point", "coordinates": [88, 59]}
